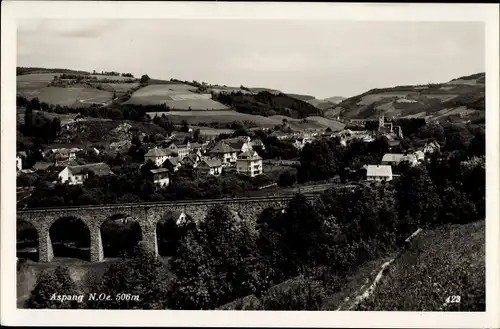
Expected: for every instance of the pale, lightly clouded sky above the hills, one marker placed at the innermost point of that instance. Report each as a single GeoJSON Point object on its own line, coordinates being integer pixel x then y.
{"type": "Point", "coordinates": [318, 58]}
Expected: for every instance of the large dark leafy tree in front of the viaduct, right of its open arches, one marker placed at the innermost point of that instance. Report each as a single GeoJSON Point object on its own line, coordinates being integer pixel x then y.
{"type": "Point", "coordinates": [215, 264]}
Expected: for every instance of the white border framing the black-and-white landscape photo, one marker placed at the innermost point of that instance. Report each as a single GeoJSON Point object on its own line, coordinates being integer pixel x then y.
{"type": "Point", "coordinates": [12, 11]}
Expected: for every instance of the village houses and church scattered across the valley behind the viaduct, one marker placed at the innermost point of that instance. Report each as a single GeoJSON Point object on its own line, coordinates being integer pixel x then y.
{"type": "Point", "coordinates": [213, 157]}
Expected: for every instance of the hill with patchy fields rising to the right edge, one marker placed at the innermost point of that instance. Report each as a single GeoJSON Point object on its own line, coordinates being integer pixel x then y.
{"type": "Point", "coordinates": [464, 96]}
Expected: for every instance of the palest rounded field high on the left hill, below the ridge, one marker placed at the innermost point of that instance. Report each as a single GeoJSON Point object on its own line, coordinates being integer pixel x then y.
{"type": "Point", "coordinates": [175, 96]}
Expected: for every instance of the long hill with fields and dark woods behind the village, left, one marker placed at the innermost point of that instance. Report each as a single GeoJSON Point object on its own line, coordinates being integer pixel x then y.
{"type": "Point", "coordinates": [113, 93]}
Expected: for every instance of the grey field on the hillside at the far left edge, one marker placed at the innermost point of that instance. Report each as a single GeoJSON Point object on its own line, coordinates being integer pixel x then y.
{"type": "Point", "coordinates": [76, 97]}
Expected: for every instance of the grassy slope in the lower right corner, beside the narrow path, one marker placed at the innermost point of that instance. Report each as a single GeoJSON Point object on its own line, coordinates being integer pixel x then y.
{"type": "Point", "coordinates": [443, 262]}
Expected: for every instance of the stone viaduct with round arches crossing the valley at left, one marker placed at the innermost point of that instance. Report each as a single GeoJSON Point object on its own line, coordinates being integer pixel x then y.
{"type": "Point", "coordinates": [147, 215]}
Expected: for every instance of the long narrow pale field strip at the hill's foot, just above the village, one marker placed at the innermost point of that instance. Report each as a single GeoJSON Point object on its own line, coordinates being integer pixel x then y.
{"type": "Point", "coordinates": [195, 117]}
